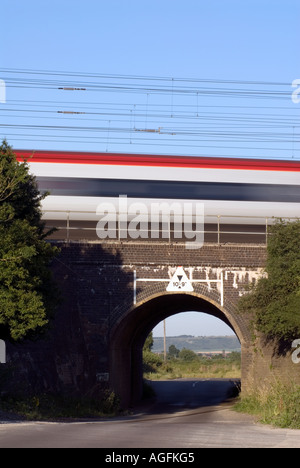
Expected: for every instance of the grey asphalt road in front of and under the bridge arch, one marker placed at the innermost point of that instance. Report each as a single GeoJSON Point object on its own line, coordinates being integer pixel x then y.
{"type": "Point", "coordinates": [181, 425]}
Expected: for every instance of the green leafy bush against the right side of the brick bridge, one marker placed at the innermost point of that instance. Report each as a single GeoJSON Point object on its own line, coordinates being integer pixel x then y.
{"type": "Point", "coordinates": [274, 301]}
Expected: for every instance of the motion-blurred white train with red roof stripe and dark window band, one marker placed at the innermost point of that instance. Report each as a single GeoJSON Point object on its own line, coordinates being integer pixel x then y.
{"type": "Point", "coordinates": [228, 187]}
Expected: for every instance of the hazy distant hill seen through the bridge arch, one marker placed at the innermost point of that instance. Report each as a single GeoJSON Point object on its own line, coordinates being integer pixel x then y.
{"type": "Point", "coordinates": [198, 343]}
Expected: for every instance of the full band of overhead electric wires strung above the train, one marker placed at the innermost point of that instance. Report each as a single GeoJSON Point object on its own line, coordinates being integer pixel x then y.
{"type": "Point", "coordinates": [246, 114]}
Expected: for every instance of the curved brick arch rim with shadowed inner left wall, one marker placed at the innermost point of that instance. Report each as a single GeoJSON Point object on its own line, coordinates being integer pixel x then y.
{"type": "Point", "coordinates": [130, 330]}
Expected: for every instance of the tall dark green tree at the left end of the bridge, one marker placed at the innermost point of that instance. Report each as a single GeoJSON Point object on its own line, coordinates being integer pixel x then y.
{"type": "Point", "coordinates": [27, 291]}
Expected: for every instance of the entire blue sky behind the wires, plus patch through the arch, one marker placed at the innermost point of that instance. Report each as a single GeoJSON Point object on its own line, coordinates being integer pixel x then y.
{"type": "Point", "coordinates": [240, 40]}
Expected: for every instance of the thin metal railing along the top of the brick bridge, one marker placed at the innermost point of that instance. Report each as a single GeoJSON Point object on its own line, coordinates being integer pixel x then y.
{"type": "Point", "coordinates": [75, 226]}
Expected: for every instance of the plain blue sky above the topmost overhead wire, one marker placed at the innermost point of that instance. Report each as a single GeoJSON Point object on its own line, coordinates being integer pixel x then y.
{"type": "Point", "coordinates": [232, 39]}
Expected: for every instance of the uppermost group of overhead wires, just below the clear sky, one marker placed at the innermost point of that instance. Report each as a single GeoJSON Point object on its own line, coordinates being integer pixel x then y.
{"type": "Point", "coordinates": [135, 83]}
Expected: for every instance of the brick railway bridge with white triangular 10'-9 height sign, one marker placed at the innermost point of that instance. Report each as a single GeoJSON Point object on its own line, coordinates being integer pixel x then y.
{"type": "Point", "coordinates": [114, 293]}
